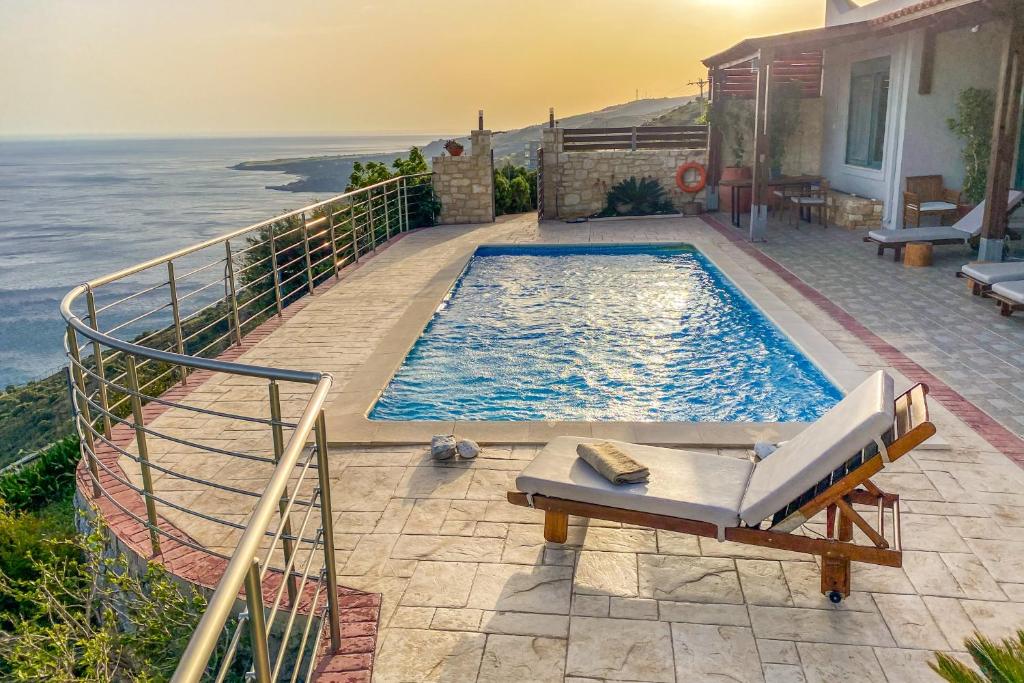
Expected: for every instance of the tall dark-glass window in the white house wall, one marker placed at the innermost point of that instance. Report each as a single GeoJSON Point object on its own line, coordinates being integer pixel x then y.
{"type": "Point", "coordinates": [866, 136]}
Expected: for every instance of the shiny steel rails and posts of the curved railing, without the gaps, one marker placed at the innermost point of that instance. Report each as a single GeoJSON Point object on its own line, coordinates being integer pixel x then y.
{"type": "Point", "coordinates": [382, 215]}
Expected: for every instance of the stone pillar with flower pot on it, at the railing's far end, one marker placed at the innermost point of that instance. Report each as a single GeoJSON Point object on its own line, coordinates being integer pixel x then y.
{"type": "Point", "coordinates": [465, 185]}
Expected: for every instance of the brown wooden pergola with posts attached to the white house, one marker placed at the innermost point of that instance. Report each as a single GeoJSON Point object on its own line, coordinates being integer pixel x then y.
{"type": "Point", "coordinates": [753, 68]}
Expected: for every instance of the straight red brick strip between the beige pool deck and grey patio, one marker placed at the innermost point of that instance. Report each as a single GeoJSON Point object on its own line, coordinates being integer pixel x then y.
{"type": "Point", "coordinates": [999, 437]}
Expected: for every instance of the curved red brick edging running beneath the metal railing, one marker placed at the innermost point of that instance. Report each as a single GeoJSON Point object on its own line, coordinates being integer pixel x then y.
{"type": "Point", "coordinates": [121, 508]}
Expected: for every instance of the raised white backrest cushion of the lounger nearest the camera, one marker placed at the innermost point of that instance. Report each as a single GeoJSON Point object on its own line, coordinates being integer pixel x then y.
{"type": "Point", "coordinates": [866, 414]}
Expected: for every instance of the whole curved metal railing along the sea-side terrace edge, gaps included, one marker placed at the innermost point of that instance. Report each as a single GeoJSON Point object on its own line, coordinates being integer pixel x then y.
{"type": "Point", "coordinates": [140, 340]}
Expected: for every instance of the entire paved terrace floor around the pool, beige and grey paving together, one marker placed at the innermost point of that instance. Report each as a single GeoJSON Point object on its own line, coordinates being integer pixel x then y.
{"type": "Point", "coordinates": [472, 591]}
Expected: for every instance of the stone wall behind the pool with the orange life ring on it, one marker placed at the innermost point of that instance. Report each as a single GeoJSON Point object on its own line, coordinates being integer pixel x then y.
{"type": "Point", "coordinates": [577, 184]}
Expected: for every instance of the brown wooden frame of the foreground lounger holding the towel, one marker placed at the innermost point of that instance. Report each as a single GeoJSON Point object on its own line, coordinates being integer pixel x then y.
{"type": "Point", "coordinates": [911, 429]}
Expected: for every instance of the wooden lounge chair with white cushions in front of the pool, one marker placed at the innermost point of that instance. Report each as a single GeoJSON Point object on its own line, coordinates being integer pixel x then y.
{"type": "Point", "coordinates": [828, 467]}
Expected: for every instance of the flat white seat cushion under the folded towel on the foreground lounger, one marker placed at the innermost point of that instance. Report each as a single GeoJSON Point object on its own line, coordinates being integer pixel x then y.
{"type": "Point", "coordinates": [684, 484]}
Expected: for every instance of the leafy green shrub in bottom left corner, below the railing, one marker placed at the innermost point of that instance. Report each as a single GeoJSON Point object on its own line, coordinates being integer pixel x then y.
{"type": "Point", "coordinates": [95, 620]}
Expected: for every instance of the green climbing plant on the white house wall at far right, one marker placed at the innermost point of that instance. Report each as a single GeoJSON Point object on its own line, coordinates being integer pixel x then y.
{"type": "Point", "coordinates": [973, 124]}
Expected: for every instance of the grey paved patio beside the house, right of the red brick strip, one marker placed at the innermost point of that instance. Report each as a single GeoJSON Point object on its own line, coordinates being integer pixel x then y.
{"type": "Point", "coordinates": [928, 314]}
